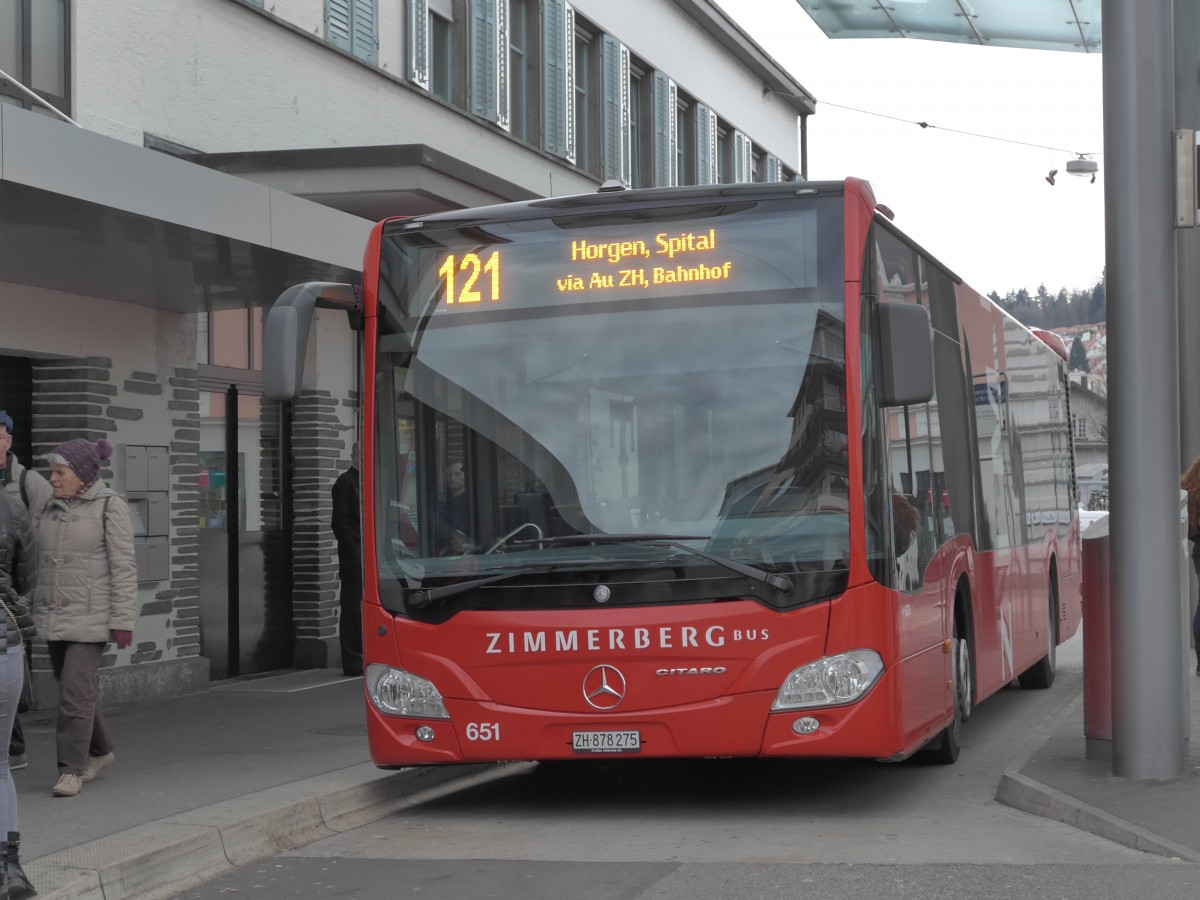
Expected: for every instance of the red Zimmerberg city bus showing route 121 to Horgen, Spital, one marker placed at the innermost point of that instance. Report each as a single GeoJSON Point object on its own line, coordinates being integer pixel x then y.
{"type": "Point", "coordinates": [716, 471]}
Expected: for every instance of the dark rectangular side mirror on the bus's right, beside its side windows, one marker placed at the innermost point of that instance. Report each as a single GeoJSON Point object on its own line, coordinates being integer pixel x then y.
{"type": "Point", "coordinates": [905, 358]}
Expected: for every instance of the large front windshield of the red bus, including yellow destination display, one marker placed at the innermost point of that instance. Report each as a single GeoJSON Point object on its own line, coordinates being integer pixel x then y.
{"type": "Point", "coordinates": [586, 399]}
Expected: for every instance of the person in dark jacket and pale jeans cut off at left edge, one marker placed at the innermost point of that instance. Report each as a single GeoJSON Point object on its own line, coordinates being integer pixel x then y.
{"type": "Point", "coordinates": [16, 633]}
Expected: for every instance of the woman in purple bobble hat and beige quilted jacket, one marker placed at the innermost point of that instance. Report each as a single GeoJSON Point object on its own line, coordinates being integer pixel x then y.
{"type": "Point", "coordinates": [86, 598]}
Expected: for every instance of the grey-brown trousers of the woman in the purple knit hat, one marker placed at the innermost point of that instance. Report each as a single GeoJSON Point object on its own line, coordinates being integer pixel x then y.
{"type": "Point", "coordinates": [82, 731]}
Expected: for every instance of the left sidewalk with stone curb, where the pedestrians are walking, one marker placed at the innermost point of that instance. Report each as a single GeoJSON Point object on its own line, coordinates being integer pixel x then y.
{"type": "Point", "coordinates": [209, 782]}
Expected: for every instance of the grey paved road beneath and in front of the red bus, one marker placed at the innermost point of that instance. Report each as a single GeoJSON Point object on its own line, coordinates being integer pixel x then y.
{"type": "Point", "coordinates": [733, 829]}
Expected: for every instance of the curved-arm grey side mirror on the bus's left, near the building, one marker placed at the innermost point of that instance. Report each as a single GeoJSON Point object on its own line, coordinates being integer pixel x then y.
{"type": "Point", "coordinates": [286, 333]}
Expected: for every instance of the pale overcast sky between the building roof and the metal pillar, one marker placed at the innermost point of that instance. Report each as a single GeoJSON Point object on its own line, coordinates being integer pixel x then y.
{"type": "Point", "coordinates": [982, 207]}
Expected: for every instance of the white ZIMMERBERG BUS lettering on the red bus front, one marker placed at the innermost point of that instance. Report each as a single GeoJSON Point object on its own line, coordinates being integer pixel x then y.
{"type": "Point", "coordinates": [596, 640]}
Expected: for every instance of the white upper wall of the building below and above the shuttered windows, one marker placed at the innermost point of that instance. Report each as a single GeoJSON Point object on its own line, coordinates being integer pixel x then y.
{"type": "Point", "coordinates": [218, 77]}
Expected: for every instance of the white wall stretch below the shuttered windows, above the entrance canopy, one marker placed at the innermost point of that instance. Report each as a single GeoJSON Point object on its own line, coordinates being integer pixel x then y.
{"type": "Point", "coordinates": [218, 77]}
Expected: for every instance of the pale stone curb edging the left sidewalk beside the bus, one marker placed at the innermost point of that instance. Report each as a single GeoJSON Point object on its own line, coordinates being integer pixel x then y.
{"type": "Point", "coordinates": [161, 859]}
